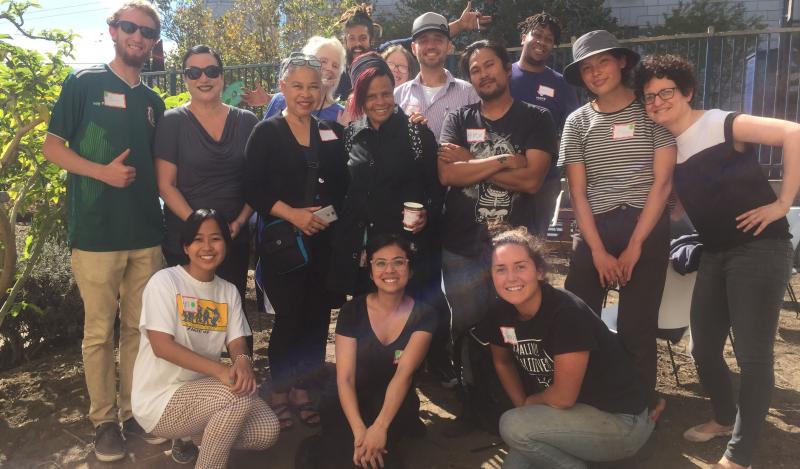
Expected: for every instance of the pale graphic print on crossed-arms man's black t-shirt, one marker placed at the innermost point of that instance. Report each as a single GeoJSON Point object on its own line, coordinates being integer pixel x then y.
{"type": "Point", "coordinates": [492, 202]}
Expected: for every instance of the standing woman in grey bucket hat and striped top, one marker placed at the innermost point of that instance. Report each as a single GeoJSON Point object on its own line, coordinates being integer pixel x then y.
{"type": "Point", "coordinates": [619, 166]}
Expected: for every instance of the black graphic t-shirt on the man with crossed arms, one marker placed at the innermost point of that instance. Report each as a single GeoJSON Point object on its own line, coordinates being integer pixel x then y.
{"type": "Point", "coordinates": [470, 210]}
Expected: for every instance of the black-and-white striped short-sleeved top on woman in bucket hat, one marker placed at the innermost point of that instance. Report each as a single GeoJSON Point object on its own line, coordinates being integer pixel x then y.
{"type": "Point", "coordinates": [617, 151]}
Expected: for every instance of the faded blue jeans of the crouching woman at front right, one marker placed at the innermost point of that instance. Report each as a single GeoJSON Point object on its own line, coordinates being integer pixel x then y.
{"type": "Point", "coordinates": [542, 437]}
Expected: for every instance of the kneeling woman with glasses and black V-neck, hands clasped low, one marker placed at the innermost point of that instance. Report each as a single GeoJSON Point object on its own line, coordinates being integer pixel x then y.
{"type": "Point", "coordinates": [381, 340]}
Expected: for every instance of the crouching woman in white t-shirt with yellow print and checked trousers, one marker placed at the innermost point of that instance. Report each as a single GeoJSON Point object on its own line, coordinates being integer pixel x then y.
{"type": "Point", "coordinates": [180, 388]}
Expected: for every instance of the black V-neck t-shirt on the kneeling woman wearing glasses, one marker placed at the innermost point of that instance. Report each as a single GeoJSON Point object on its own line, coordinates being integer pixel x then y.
{"type": "Point", "coordinates": [375, 362]}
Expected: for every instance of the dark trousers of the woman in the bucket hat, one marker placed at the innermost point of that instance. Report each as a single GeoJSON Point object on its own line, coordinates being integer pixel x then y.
{"type": "Point", "coordinates": [640, 299]}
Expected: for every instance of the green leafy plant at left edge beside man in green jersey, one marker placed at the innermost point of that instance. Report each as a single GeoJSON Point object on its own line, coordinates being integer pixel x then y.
{"type": "Point", "coordinates": [30, 83]}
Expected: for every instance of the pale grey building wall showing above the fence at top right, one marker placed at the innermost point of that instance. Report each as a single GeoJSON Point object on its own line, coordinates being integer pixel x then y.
{"type": "Point", "coordinates": [642, 12]}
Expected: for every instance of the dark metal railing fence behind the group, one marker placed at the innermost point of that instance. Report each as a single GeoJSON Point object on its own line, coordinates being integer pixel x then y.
{"type": "Point", "coordinates": [756, 72]}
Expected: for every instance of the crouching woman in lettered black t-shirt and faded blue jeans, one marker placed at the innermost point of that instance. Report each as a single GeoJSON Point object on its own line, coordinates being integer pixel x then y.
{"type": "Point", "coordinates": [577, 398]}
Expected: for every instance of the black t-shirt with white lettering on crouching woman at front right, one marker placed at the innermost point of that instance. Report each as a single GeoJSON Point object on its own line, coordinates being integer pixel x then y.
{"type": "Point", "coordinates": [564, 324]}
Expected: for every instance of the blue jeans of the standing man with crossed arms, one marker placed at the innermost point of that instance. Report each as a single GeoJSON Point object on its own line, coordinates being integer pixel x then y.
{"type": "Point", "coordinates": [469, 290]}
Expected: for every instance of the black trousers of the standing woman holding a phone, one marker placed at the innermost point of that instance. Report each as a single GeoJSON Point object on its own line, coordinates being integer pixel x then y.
{"type": "Point", "coordinates": [302, 313]}
